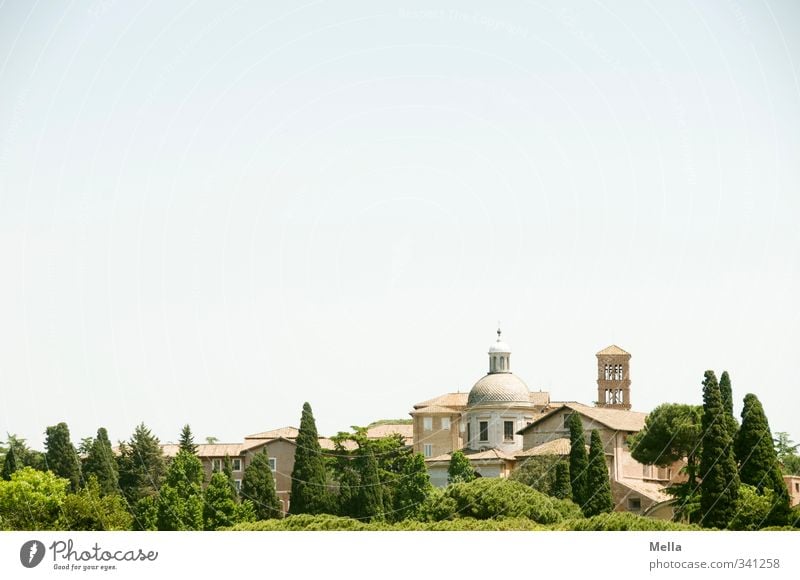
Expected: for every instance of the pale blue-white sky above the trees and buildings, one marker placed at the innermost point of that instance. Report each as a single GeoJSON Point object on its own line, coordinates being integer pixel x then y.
{"type": "Point", "coordinates": [213, 212]}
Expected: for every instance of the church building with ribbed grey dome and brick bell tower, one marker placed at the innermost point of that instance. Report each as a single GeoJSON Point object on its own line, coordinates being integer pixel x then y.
{"type": "Point", "coordinates": [500, 424]}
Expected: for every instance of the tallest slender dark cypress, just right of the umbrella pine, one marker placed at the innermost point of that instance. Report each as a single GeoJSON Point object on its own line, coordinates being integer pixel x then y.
{"type": "Point", "coordinates": [719, 488]}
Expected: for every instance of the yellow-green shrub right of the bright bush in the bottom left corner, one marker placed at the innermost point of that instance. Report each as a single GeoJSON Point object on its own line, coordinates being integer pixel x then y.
{"type": "Point", "coordinates": [91, 509]}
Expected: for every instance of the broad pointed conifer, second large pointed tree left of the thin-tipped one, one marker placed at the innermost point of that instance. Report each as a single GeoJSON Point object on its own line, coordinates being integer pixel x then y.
{"type": "Point", "coordinates": [141, 465]}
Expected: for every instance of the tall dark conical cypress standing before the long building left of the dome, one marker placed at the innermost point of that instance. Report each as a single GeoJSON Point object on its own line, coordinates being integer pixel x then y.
{"type": "Point", "coordinates": [309, 478]}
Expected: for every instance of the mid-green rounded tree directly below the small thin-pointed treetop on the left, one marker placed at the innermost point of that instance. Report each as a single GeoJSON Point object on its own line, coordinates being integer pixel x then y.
{"type": "Point", "coordinates": [180, 499]}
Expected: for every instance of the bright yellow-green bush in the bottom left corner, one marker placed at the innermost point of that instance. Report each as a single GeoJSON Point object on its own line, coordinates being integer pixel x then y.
{"type": "Point", "coordinates": [31, 500]}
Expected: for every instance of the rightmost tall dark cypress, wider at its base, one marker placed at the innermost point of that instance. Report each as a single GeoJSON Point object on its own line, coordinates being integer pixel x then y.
{"type": "Point", "coordinates": [758, 460]}
